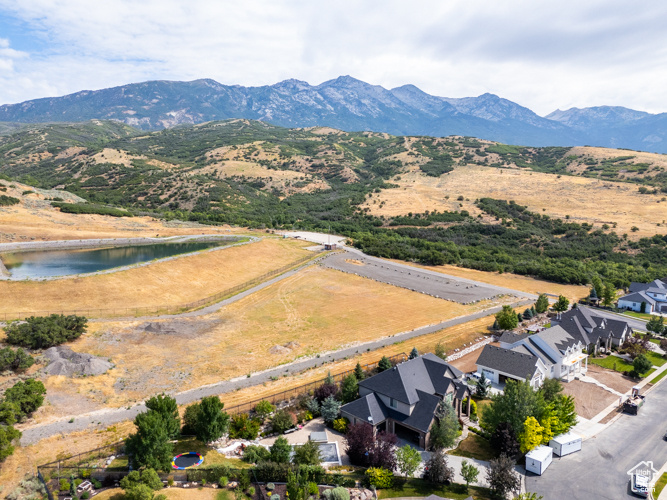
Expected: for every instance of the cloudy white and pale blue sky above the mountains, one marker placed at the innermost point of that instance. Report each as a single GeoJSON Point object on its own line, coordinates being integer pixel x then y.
{"type": "Point", "coordinates": [542, 55]}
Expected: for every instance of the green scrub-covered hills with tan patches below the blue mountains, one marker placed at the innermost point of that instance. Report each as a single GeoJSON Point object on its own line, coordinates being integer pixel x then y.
{"type": "Point", "coordinates": [253, 174]}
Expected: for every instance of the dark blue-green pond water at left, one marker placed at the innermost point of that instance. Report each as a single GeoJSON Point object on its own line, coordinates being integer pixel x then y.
{"type": "Point", "coordinates": [49, 263]}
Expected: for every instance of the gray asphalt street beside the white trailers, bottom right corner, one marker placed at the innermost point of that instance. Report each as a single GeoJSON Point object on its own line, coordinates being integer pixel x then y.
{"type": "Point", "coordinates": [599, 471]}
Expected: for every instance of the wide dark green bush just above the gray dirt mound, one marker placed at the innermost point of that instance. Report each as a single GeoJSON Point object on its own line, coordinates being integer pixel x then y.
{"type": "Point", "coordinates": [42, 332]}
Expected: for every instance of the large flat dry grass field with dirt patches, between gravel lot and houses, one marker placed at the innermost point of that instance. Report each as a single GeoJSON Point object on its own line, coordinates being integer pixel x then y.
{"type": "Point", "coordinates": [315, 311]}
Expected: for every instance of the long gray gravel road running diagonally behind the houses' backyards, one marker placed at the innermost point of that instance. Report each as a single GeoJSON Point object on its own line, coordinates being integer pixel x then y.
{"type": "Point", "coordinates": [106, 417]}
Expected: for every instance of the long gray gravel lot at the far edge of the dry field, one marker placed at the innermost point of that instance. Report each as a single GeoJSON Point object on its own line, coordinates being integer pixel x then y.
{"type": "Point", "coordinates": [418, 280]}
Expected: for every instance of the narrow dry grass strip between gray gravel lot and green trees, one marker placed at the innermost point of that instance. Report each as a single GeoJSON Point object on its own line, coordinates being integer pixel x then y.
{"type": "Point", "coordinates": [513, 281]}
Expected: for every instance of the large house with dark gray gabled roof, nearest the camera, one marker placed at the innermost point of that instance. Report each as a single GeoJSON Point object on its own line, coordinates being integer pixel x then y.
{"type": "Point", "coordinates": [404, 399]}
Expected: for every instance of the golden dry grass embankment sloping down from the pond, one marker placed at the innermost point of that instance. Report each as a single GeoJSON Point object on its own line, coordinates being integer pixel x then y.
{"type": "Point", "coordinates": [172, 282]}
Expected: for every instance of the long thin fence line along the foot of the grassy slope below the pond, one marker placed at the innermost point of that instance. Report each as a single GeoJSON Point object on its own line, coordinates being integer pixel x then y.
{"type": "Point", "coordinates": [160, 309]}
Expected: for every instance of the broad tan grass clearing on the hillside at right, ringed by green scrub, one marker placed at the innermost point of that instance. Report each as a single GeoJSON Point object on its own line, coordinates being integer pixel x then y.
{"type": "Point", "coordinates": [583, 199]}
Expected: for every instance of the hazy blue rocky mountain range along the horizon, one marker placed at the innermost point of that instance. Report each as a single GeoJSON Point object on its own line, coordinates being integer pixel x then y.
{"type": "Point", "coordinates": [352, 105]}
